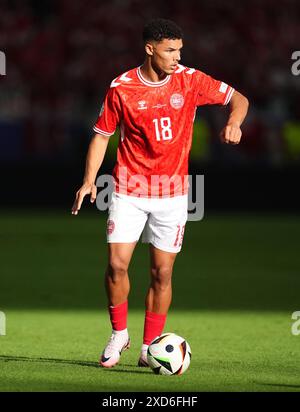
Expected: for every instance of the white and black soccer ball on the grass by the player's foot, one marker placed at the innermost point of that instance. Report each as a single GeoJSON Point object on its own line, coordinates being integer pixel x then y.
{"type": "Point", "coordinates": [169, 354]}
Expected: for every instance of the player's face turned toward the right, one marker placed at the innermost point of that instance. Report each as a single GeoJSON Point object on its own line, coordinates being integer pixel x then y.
{"type": "Point", "coordinates": [166, 54]}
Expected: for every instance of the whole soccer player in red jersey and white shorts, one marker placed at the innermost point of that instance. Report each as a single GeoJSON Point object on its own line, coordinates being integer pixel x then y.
{"type": "Point", "coordinates": [154, 105]}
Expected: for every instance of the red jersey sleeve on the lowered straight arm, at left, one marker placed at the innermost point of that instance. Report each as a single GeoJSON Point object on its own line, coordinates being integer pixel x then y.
{"type": "Point", "coordinates": [110, 113]}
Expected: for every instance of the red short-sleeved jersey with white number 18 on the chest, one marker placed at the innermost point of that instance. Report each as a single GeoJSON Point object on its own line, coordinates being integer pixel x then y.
{"type": "Point", "coordinates": [156, 127]}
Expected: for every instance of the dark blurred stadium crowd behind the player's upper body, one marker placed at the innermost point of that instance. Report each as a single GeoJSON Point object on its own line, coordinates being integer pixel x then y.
{"type": "Point", "coordinates": [62, 55]}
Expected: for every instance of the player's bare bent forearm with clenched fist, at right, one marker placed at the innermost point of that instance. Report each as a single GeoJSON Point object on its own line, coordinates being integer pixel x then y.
{"type": "Point", "coordinates": [238, 106]}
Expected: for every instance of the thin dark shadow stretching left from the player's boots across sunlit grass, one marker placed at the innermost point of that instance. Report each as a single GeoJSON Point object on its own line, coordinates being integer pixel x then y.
{"type": "Point", "coordinates": [7, 358]}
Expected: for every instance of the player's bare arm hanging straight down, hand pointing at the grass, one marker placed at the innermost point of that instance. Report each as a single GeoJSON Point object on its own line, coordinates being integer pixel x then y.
{"type": "Point", "coordinates": [94, 159]}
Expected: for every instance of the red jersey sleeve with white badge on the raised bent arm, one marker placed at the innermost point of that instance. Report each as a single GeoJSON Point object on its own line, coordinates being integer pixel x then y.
{"type": "Point", "coordinates": [211, 91]}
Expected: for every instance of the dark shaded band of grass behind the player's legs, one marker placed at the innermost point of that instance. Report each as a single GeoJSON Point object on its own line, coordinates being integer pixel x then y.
{"type": "Point", "coordinates": [223, 278]}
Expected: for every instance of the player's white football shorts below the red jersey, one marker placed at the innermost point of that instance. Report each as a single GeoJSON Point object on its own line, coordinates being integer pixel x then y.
{"type": "Point", "coordinates": [162, 220]}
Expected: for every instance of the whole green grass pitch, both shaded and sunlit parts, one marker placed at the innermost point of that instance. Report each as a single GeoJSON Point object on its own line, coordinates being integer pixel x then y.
{"type": "Point", "coordinates": [236, 284]}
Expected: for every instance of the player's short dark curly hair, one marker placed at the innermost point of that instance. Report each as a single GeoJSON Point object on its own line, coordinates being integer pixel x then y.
{"type": "Point", "coordinates": [159, 29]}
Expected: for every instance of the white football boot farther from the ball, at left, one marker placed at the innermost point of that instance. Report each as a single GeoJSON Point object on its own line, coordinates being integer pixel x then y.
{"type": "Point", "coordinates": [118, 342]}
